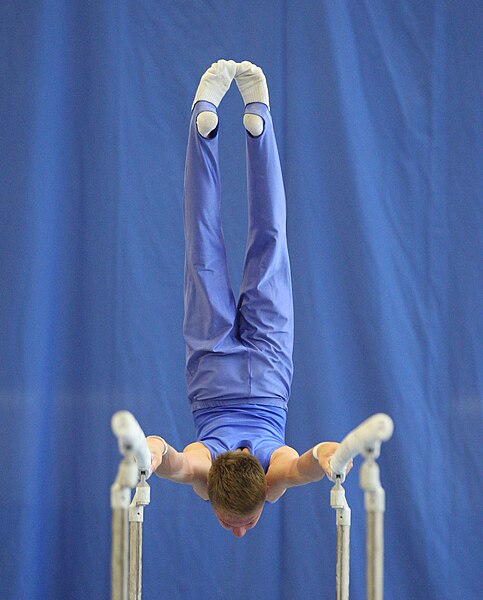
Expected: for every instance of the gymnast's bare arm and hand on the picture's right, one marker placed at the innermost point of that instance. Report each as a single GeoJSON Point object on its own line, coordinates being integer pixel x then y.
{"type": "Point", "coordinates": [288, 469]}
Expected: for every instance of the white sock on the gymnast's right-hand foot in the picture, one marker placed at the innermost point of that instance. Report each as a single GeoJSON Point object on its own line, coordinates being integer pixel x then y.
{"type": "Point", "coordinates": [252, 84]}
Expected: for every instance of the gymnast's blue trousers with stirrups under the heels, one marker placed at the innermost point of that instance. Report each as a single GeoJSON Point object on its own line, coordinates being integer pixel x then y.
{"type": "Point", "coordinates": [236, 353]}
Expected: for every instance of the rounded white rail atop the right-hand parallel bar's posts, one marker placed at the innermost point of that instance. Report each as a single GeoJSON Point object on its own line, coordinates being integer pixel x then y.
{"type": "Point", "coordinates": [367, 435]}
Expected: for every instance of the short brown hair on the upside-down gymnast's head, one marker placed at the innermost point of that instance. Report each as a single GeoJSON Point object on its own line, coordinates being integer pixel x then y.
{"type": "Point", "coordinates": [237, 483]}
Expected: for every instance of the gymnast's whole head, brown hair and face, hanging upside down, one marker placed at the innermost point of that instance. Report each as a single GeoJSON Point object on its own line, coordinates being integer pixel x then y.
{"type": "Point", "coordinates": [237, 488]}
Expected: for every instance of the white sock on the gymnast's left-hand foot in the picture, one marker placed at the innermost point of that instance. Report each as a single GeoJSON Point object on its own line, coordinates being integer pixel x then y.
{"type": "Point", "coordinates": [213, 85]}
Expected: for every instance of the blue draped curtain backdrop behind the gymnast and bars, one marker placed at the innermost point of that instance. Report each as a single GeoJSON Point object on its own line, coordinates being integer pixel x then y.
{"type": "Point", "coordinates": [377, 109]}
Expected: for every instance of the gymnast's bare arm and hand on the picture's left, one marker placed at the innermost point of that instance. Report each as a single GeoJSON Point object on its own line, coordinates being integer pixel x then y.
{"type": "Point", "coordinates": [190, 466]}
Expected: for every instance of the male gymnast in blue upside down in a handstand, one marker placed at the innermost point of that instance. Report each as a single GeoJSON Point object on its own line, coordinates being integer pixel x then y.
{"type": "Point", "coordinates": [238, 355]}
